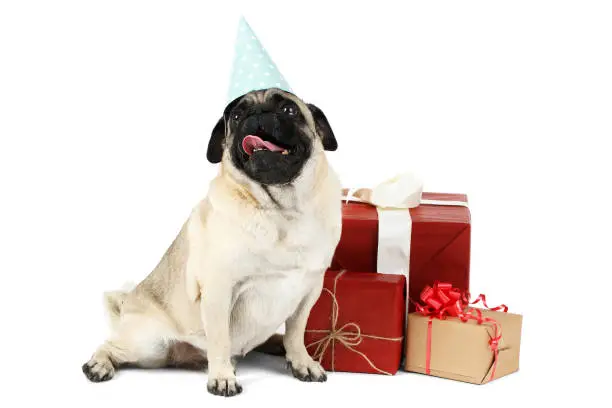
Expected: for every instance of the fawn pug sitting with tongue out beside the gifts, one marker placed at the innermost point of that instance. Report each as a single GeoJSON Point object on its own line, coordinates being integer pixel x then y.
{"type": "Point", "coordinates": [250, 257]}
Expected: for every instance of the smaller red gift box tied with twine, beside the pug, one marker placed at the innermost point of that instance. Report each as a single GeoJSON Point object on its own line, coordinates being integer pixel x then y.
{"type": "Point", "coordinates": [357, 324]}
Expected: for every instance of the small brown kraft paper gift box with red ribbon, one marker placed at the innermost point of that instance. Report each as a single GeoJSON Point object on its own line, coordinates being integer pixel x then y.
{"type": "Point", "coordinates": [475, 345]}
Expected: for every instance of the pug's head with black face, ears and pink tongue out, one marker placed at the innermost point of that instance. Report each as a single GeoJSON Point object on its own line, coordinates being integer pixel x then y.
{"type": "Point", "coordinates": [269, 135]}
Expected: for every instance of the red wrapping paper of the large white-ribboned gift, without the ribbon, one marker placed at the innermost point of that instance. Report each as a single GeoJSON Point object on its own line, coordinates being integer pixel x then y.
{"type": "Point", "coordinates": [440, 242]}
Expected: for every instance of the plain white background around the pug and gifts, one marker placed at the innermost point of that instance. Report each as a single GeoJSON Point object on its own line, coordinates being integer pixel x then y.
{"type": "Point", "coordinates": [105, 113]}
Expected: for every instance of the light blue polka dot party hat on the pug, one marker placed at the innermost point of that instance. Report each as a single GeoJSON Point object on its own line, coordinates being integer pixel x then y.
{"type": "Point", "coordinates": [253, 68]}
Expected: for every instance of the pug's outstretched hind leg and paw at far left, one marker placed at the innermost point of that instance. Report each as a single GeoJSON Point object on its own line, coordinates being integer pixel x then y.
{"type": "Point", "coordinates": [139, 339]}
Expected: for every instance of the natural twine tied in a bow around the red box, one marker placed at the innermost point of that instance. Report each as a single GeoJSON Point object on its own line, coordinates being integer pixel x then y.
{"type": "Point", "coordinates": [349, 335]}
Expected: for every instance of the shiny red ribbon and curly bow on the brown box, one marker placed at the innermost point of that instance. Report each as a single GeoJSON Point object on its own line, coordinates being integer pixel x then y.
{"type": "Point", "coordinates": [442, 301]}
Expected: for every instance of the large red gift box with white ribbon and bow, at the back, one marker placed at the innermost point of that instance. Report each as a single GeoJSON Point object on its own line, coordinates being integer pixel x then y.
{"type": "Point", "coordinates": [394, 228]}
